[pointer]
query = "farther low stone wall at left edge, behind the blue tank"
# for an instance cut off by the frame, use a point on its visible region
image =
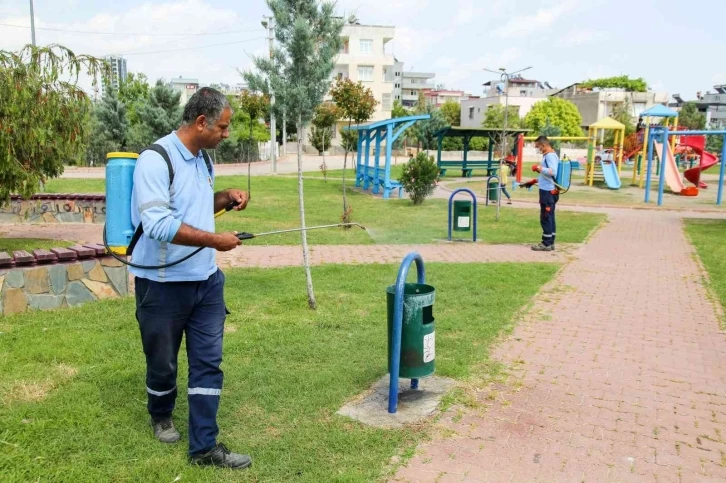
(55, 208)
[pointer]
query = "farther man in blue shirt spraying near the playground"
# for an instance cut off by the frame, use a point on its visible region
(549, 194)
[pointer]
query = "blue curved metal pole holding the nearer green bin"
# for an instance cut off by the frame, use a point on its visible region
(398, 325)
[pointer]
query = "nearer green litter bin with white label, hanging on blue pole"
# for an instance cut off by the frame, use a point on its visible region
(417, 330)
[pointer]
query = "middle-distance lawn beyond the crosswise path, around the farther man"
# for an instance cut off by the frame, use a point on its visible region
(274, 206)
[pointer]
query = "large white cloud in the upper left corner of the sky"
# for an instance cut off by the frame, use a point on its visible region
(137, 34)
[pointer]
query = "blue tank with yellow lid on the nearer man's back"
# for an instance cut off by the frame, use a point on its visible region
(119, 184)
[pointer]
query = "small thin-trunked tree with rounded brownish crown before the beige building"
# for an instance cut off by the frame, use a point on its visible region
(355, 103)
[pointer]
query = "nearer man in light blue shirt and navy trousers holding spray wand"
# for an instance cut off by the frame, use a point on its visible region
(177, 213)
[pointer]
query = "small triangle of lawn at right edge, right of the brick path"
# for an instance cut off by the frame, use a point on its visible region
(707, 236)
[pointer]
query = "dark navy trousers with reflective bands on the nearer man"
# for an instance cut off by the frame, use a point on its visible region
(165, 312)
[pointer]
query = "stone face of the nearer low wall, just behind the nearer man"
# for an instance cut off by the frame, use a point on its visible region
(61, 285)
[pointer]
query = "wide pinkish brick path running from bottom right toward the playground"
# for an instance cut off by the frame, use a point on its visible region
(619, 374)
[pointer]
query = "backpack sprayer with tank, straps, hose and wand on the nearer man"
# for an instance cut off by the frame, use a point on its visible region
(119, 236)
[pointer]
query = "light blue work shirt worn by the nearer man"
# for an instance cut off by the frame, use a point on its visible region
(162, 209)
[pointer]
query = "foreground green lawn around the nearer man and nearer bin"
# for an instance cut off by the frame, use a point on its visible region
(73, 404)
